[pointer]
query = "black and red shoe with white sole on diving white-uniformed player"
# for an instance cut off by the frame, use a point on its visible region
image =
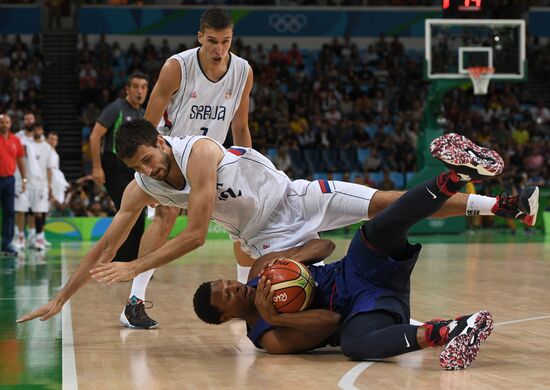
(524, 206)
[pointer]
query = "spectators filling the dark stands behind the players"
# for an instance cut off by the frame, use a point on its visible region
(342, 112)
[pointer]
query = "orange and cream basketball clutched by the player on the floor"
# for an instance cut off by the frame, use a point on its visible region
(292, 285)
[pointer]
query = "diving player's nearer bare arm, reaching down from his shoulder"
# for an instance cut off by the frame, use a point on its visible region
(202, 174)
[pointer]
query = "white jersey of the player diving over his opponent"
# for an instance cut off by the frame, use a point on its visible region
(249, 187)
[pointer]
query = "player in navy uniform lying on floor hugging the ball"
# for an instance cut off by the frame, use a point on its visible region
(362, 301)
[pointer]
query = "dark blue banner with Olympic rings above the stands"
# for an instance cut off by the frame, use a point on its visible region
(284, 22)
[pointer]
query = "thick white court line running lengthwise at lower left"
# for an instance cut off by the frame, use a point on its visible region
(69, 379)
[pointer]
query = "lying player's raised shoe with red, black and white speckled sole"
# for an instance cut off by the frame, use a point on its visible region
(468, 160)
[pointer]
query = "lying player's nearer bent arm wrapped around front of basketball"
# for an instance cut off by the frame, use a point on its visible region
(293, 332)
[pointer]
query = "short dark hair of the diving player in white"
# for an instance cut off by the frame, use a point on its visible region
(132, 134)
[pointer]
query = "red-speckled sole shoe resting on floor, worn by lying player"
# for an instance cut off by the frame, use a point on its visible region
(461, 337)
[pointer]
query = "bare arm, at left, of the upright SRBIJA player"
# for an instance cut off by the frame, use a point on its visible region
(166, 86)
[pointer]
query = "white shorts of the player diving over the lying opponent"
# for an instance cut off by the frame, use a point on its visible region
(309, 208)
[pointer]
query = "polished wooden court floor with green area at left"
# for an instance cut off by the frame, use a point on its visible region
(87, 348)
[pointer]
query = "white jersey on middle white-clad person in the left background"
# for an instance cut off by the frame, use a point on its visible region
(39, 159)
